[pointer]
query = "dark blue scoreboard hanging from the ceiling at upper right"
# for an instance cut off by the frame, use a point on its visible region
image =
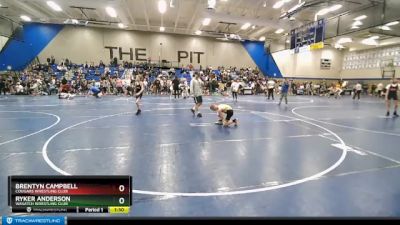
(312, 35)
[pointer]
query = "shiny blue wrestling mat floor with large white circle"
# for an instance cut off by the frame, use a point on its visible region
(314, 157)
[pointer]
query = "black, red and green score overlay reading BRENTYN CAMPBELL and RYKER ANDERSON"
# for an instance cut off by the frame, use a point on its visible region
(75, 194)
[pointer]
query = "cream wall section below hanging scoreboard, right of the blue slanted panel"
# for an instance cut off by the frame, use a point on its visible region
(308, 64)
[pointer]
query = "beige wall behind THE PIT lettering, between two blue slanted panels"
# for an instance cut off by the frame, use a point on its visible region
(81, 44)
